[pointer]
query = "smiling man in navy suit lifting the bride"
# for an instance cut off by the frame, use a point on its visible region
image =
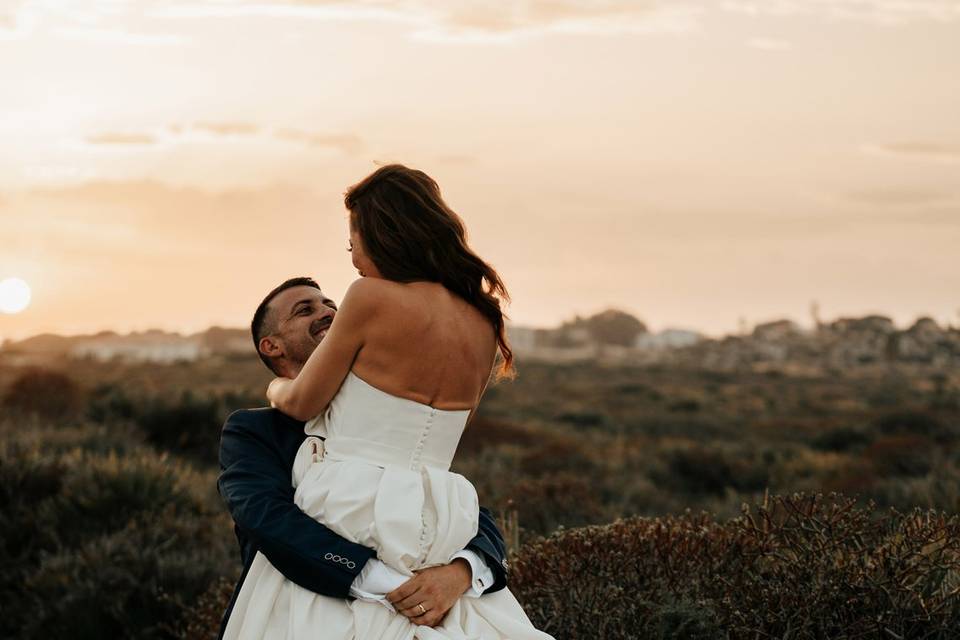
(257, 449)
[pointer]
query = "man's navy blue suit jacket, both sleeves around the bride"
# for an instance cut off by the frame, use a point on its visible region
(257, 449)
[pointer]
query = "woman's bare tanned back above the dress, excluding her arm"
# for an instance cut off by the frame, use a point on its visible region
(428, 345)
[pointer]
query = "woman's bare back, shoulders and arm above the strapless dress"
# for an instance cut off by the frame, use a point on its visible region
(411, 340)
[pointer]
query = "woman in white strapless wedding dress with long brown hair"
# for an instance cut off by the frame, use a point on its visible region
(390, 390)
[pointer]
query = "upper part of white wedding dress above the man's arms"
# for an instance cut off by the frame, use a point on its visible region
(375, 468)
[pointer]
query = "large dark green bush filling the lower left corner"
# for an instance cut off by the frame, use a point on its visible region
(100, 545)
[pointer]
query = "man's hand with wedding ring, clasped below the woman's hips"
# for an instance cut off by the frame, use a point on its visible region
(436, 588)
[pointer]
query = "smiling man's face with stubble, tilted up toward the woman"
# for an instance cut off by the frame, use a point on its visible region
(303, 316)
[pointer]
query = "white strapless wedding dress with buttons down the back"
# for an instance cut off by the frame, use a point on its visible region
(380, 479)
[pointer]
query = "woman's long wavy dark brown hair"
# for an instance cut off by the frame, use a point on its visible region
(411, 234)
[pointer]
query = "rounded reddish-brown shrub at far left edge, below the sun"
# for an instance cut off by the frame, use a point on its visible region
(47, 394)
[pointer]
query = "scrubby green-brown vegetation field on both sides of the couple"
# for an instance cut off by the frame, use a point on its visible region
(621, 491)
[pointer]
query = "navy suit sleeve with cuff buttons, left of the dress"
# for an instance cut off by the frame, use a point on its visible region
(256, 486)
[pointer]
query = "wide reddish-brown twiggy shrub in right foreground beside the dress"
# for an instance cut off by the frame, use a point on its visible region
(803, 566)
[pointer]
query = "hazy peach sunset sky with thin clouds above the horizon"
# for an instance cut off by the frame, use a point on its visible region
(164, 164)
